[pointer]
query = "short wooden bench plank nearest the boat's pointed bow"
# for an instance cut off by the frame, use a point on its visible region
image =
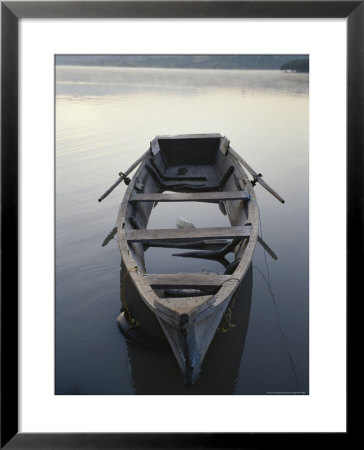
(186, 280)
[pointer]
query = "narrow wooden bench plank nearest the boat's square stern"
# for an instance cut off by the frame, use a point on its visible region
(190, 196)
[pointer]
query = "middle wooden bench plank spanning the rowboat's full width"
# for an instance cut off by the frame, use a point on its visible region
(187, 234)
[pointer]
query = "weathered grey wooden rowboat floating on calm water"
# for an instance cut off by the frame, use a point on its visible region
(186, 308)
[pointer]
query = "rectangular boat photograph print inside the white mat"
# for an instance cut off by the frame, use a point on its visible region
(182, 224)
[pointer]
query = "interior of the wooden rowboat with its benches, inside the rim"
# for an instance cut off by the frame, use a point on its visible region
(194, 169)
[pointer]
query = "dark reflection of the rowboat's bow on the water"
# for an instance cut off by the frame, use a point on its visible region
(220, 367)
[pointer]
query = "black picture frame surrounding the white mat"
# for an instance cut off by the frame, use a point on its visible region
(11, 12)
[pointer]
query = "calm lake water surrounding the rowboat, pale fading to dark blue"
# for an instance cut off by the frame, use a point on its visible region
(105, 119)
